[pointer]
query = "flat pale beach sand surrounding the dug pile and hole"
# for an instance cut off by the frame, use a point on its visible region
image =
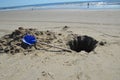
(103, 64)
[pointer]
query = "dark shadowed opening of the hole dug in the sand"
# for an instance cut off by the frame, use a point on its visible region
(84, 43)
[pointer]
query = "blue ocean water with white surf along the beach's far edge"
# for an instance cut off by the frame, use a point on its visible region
(91, 4)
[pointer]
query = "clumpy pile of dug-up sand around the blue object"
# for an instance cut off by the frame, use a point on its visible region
(12, 43)
